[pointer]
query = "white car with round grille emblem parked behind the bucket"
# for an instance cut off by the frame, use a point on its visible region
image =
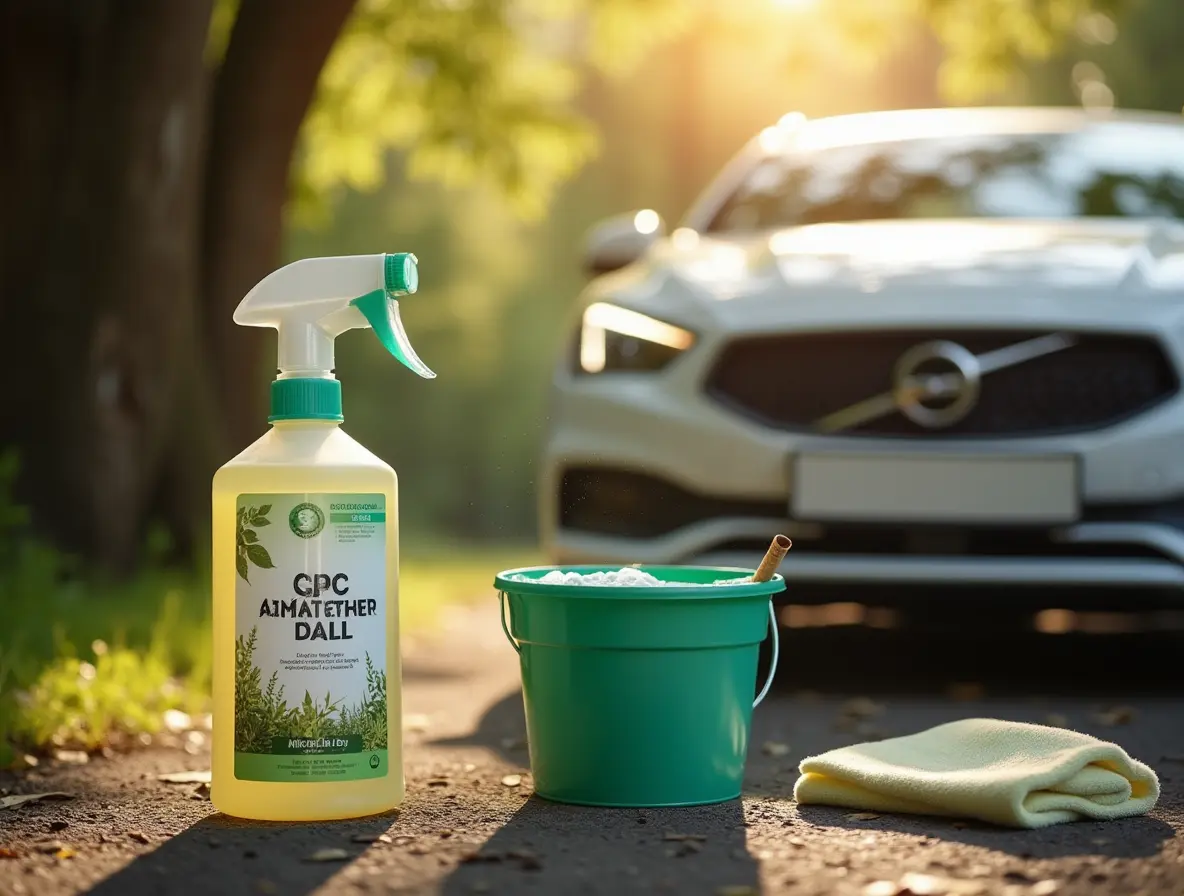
(932, 347)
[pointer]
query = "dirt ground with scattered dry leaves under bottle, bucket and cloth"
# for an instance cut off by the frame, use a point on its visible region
(466, 831)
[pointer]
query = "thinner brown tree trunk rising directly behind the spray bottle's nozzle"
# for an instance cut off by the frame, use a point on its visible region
(262, 95)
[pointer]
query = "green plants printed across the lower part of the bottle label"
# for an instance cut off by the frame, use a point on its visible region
(261, 713)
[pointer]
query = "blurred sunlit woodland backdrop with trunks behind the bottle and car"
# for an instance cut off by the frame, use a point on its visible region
(163, 158)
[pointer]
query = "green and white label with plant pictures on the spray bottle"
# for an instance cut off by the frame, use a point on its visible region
(311, 629)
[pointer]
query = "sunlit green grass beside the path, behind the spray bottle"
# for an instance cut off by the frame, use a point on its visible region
(87, 663)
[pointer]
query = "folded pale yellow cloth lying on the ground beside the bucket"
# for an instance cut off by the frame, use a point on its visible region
(1008, 773)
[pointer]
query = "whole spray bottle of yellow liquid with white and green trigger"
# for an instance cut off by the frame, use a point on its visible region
(306, 568)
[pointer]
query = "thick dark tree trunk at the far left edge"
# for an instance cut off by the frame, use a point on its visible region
(104, 107)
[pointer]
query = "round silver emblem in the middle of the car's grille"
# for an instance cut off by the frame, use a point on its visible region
(937, 384)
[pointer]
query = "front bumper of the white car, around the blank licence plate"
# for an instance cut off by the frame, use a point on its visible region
(723, 486)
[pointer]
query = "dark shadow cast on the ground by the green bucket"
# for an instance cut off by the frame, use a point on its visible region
(577, 849)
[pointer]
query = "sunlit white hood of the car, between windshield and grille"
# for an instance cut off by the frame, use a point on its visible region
(910, 272)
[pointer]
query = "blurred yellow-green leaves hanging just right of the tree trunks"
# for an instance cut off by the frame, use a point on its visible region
(474, 93)
